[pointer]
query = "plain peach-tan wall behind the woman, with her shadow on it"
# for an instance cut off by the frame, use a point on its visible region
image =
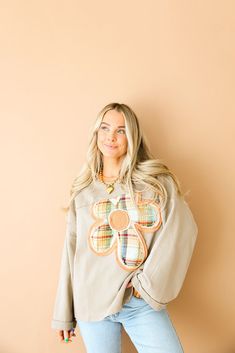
(61, 62)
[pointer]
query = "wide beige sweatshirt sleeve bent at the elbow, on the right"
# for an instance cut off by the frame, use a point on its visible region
(164, 271)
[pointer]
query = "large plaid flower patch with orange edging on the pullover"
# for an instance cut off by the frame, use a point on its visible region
(131, 249)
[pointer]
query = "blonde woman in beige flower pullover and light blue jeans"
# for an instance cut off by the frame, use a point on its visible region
(129, 240)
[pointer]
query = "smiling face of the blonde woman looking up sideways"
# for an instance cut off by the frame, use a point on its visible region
(111, 139)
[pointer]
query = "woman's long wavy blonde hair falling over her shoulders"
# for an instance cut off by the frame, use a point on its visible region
(138, 165)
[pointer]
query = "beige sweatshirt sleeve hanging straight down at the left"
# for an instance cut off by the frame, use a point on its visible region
(63, 315)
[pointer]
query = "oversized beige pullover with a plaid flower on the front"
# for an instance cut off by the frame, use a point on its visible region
(109, 242)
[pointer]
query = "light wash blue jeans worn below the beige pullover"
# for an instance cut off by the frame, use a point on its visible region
(150, 331)
